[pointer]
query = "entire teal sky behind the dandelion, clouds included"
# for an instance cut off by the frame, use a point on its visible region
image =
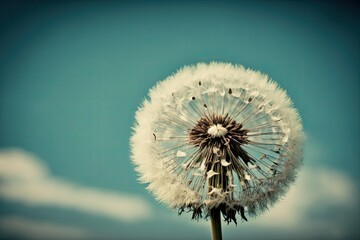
(73, 73)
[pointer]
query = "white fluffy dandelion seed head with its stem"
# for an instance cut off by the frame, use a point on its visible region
(217, 139)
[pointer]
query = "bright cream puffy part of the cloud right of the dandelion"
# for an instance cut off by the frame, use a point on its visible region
(316, 188)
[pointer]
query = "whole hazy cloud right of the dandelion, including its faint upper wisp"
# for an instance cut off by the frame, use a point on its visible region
(322, 203)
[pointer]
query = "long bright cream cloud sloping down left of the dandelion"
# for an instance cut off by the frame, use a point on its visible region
(25, 179)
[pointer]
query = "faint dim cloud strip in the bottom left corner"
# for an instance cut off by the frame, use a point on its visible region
(19, 227)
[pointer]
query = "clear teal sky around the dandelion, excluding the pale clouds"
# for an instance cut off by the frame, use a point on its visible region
(72, 74)
